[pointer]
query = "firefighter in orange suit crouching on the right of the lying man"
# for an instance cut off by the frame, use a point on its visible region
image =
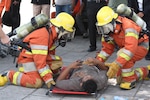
(125, 34)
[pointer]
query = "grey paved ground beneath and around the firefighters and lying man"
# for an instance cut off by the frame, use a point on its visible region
(74, 50)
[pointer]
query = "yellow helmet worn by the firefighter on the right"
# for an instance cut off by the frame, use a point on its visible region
(105, 15)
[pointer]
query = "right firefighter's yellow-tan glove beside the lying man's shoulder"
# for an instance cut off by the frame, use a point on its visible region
(113, 69)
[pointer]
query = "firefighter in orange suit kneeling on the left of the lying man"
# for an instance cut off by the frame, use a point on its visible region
(40, 63)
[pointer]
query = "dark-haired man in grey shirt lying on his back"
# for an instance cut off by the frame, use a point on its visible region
(83, 76)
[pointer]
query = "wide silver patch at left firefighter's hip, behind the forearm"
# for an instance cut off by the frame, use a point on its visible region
(28, 67)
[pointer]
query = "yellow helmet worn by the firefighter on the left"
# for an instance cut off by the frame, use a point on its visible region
(64, 20)
